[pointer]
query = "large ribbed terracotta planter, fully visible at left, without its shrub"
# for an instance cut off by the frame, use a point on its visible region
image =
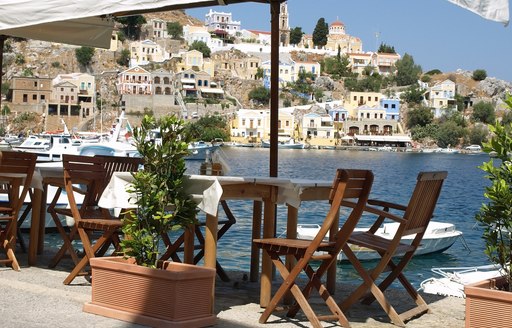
(180, 295)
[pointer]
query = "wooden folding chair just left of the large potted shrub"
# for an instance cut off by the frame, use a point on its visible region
(91, 221)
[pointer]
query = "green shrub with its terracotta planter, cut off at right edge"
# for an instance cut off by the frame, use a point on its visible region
(489, 302)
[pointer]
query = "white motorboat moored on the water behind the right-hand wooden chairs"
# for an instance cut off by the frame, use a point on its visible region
(439, 237)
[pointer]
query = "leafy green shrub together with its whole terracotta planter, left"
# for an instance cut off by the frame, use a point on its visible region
(137, 287)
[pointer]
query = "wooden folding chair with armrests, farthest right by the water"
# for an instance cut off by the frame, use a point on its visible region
(416, 216)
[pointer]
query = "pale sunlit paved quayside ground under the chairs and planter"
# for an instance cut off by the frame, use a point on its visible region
(36, 297)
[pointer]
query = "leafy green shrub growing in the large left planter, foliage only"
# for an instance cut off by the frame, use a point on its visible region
(162, 203)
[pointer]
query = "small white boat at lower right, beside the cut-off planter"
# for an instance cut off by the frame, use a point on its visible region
(451, 281)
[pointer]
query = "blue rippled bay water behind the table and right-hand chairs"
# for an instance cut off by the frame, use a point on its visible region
(395, 178)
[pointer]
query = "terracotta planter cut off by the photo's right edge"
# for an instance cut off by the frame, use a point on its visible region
(486, 307)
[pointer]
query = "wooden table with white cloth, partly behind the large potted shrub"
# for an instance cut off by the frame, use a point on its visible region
(208, 191)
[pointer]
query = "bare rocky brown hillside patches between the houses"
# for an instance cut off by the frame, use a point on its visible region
(44, 59)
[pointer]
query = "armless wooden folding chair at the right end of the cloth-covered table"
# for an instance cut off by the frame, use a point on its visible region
(348, 184)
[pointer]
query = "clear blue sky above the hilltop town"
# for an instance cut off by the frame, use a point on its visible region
(436, 33)
